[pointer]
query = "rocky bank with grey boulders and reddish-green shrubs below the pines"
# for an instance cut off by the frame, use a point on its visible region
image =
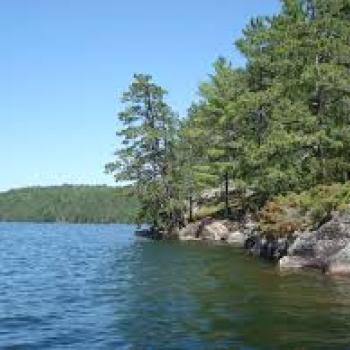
(310, 230)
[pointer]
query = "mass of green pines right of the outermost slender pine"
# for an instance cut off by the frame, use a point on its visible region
(282, 123)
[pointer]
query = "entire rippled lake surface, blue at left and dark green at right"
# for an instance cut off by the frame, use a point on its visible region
(97, 287)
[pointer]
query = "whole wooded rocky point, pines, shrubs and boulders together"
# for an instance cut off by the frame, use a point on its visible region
(270, 141)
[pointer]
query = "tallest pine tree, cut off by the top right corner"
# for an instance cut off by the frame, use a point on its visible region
(317, 79)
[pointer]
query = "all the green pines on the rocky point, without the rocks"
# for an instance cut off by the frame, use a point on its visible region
(279, 124)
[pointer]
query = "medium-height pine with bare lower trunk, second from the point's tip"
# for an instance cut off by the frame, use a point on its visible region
(215, 128)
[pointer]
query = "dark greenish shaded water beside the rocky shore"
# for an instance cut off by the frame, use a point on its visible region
(202, 296)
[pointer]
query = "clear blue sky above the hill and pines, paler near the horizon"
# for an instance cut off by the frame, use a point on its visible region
(63, 64)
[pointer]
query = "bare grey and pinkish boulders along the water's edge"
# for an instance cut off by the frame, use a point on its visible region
(326, 248)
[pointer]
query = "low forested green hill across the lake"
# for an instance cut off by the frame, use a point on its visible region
(68, 203)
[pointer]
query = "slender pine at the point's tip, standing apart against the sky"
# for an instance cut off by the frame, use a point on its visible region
(147, 134)
